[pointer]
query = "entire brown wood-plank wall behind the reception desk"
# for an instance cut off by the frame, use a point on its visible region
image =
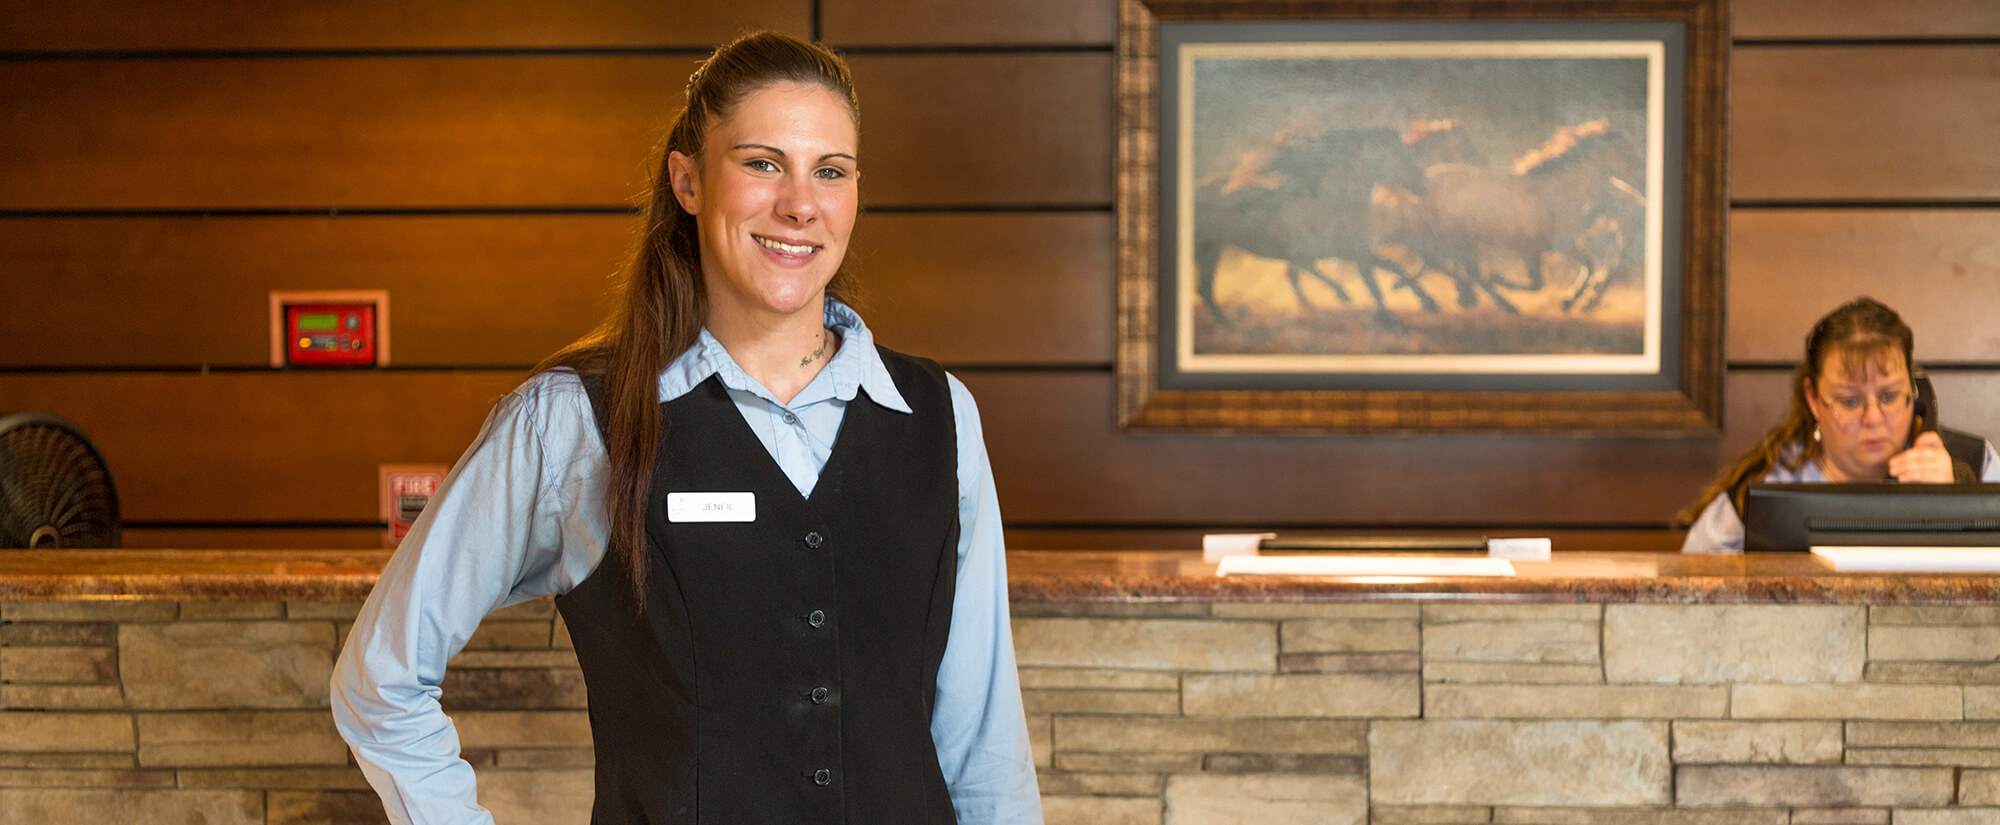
(165, 167)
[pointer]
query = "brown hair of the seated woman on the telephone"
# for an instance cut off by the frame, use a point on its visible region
(1863, 331)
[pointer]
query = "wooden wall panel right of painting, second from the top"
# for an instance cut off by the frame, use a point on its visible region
(1847, 123)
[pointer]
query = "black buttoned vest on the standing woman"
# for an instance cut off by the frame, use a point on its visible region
(785, 670)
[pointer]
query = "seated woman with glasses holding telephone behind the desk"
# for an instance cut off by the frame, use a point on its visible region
(1857, 416)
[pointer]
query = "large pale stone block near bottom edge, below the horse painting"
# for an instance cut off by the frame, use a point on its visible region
(1519, 764)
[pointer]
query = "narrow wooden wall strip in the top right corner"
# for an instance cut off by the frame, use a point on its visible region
(1863, 19)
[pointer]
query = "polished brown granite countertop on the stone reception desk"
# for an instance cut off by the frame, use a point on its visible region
(1057, 578)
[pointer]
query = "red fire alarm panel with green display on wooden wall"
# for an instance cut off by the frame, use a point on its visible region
(329, 329)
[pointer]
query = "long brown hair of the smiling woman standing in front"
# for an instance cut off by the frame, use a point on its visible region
(663, 299)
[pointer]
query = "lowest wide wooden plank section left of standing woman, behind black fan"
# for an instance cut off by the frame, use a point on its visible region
(263, 446)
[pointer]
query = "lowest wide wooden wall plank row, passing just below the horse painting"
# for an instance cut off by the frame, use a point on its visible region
(303, 448)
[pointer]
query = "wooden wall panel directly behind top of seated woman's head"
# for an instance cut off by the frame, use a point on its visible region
(1939, 269)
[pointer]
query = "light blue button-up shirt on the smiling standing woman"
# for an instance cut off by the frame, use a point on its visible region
(523, 518)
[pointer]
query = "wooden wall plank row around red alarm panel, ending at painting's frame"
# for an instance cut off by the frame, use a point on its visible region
(467, 291)
